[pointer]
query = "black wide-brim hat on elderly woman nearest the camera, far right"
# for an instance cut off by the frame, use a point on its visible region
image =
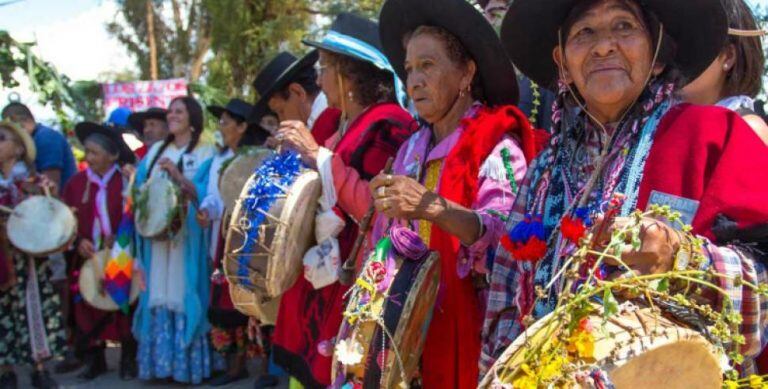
(529, 33)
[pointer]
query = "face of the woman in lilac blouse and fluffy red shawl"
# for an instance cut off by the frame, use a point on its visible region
(434, 81)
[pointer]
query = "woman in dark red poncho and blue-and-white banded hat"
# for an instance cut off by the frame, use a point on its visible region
(357, 79)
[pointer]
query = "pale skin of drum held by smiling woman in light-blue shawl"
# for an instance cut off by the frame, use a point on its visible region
(163, 215)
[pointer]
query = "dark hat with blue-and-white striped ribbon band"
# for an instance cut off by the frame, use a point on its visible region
(353, 26)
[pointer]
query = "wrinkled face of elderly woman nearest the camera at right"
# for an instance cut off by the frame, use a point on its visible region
(608, 55)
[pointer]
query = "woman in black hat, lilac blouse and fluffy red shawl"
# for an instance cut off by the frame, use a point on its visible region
(455, 177)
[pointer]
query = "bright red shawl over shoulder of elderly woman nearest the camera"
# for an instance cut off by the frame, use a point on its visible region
(724, 163)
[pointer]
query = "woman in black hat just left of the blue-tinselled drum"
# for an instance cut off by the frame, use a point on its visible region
(229, 334)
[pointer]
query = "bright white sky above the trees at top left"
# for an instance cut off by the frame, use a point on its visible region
(71, 34)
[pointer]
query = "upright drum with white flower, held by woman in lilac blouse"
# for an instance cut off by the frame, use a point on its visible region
(388, 327)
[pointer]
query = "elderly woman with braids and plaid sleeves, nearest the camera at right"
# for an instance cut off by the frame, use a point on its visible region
(621, 63)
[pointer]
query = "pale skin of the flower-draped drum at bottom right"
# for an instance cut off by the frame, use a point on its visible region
(638, 349)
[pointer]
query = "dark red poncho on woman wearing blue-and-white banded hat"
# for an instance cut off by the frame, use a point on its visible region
(308, 319)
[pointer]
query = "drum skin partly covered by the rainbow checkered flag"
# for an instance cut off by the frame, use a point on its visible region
(90, 280)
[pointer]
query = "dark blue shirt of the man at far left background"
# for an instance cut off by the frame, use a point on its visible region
(53, 152)
